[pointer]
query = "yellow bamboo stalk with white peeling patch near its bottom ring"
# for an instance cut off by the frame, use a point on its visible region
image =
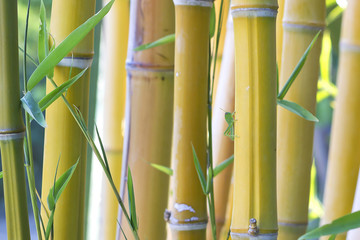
(188, 210)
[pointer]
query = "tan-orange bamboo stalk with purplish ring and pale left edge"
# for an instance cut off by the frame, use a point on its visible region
(150, 87)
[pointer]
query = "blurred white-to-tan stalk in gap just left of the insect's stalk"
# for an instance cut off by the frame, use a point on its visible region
(223, 146)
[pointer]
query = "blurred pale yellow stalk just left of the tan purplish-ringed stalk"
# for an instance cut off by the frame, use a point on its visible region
(115, 35)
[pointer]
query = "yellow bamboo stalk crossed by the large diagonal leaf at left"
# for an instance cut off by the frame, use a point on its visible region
(63, 138)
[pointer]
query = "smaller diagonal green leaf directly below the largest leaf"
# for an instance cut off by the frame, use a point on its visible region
(56, 93)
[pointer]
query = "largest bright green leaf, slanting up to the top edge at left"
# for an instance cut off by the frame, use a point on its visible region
(66, 46)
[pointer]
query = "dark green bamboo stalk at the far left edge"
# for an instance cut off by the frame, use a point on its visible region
(12, 129)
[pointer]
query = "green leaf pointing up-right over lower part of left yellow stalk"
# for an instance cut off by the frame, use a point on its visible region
(59, 186)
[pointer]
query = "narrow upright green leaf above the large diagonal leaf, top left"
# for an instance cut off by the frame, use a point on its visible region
(43, 48)
